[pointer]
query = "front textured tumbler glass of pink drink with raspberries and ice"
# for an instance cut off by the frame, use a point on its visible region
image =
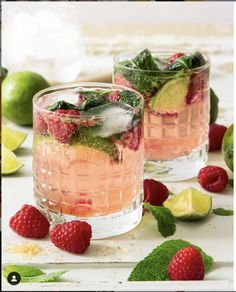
(88, 155)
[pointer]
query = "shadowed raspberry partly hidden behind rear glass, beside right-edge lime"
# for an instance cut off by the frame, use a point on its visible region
(216, 135)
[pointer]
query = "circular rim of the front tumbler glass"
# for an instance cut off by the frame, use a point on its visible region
(62, 86)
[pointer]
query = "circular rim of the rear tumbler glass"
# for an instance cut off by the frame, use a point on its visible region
(156, 52)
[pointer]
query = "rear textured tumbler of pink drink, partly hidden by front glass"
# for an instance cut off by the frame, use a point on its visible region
(176, 115)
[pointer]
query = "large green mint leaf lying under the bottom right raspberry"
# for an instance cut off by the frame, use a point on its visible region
(154, 267)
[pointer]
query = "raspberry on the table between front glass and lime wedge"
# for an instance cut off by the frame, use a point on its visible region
(155, 192)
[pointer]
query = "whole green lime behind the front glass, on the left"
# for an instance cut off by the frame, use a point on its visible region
(18, 90)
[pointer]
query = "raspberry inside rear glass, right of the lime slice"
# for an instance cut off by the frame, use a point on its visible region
(196, 88)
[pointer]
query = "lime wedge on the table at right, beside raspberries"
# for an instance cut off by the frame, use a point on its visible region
(190, 204)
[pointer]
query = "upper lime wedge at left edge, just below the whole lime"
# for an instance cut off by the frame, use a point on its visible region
(12, 139)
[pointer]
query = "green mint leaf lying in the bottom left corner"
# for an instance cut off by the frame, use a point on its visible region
(24, 271)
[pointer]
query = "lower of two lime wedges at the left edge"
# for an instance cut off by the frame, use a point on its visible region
(10, 163)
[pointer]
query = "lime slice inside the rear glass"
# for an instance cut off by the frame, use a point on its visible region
(172, 96)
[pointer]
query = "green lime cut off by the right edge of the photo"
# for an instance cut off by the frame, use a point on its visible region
(228, 147)
